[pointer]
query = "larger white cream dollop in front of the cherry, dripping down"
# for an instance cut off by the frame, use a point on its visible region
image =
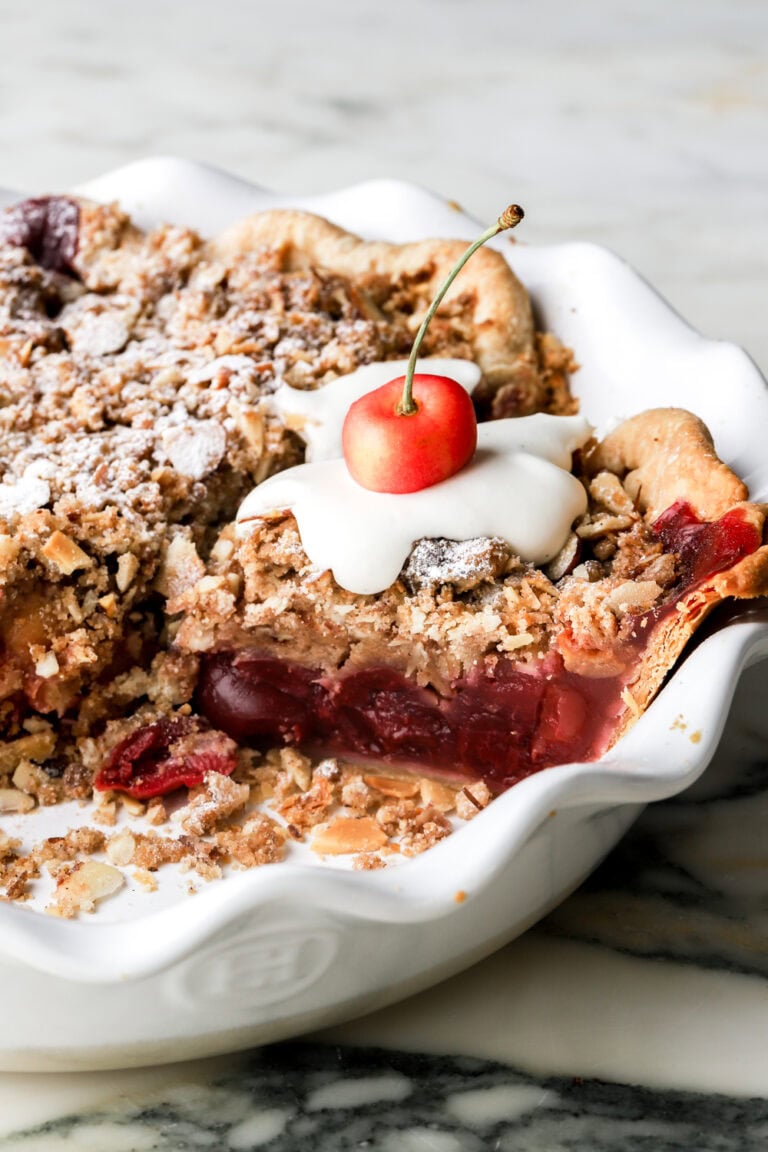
(518, 487)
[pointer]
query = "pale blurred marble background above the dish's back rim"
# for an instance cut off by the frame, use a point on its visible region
(641, 124)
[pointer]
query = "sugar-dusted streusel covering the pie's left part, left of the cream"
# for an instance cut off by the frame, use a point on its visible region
(134, 373)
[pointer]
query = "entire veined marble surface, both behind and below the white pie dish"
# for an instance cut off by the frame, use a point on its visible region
(636, 1014)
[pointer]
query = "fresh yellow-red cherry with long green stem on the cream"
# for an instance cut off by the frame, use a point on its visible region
(398, 442)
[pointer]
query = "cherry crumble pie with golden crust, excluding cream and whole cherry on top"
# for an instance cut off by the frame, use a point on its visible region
(146, 643)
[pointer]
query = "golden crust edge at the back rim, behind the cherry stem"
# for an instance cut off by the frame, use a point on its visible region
(501, 313)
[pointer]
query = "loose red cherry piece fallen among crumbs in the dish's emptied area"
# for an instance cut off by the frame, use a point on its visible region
(164, 756)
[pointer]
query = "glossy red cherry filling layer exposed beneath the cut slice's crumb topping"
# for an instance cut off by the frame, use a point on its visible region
(501, 724)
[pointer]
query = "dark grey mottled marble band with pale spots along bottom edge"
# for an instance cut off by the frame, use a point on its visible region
(291, 1098)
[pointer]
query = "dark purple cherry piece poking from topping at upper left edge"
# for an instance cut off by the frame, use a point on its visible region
(48, 226)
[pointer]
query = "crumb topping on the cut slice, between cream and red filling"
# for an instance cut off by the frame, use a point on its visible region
(457, 605)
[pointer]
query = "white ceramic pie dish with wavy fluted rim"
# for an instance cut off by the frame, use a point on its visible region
(291, 948)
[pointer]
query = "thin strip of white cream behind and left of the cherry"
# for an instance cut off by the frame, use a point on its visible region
(318, 416)
